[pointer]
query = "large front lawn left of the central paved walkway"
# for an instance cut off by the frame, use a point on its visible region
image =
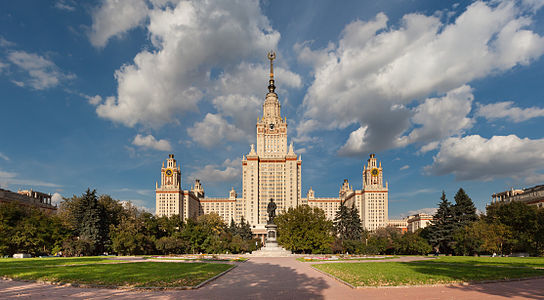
(140, 274)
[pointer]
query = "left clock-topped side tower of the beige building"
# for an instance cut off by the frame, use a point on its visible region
(169, 196)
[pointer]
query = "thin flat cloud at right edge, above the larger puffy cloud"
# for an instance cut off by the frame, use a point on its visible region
(507, 111)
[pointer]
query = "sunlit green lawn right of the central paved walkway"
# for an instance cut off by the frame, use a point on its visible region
(447, 270)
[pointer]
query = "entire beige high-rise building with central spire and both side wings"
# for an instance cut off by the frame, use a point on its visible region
(272, 170)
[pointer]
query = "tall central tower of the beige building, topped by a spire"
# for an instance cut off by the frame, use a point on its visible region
(273, 170)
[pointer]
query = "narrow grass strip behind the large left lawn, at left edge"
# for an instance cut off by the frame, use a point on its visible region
(51, 261)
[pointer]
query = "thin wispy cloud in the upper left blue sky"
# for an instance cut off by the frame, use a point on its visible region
(41, 72)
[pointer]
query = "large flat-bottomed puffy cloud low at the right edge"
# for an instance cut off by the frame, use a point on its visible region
(476, 158)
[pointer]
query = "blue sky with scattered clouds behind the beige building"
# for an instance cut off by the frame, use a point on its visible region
(448, 94)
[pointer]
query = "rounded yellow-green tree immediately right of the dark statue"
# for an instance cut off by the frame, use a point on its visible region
(304, 230)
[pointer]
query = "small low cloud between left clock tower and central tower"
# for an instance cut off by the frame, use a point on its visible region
(229, 170)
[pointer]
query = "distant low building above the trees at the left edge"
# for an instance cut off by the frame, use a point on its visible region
(29, 198)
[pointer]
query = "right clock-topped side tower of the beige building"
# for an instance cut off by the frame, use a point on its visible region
(374, 208)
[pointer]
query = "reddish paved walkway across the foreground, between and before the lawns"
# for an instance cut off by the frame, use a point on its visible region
(281, 278)
